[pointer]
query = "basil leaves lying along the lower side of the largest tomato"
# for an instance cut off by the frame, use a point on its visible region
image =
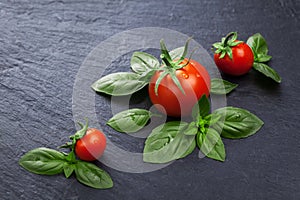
(177, 139)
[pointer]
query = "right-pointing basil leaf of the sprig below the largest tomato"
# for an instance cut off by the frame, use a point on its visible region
(238, 123)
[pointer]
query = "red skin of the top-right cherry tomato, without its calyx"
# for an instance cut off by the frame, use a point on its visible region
(241, 62)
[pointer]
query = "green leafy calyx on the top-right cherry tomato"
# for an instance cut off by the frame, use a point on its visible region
(227, 42)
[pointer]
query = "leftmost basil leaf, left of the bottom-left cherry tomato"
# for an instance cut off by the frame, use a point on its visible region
(43, 161)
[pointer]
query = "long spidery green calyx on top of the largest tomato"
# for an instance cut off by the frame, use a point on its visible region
(169, 66)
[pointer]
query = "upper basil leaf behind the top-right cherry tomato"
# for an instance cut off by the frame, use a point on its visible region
(258, 44)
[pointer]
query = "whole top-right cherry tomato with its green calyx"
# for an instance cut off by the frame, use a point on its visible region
(232, 56)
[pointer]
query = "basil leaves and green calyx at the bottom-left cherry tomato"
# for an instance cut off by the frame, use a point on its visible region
(47, 161)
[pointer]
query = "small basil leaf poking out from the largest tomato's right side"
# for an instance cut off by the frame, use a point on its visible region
(220, 86)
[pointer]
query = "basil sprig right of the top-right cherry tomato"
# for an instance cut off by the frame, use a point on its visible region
(259, 48)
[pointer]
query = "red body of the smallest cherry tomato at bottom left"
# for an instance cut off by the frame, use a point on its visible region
(91, 146)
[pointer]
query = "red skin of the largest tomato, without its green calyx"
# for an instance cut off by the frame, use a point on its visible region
(195, 81)
